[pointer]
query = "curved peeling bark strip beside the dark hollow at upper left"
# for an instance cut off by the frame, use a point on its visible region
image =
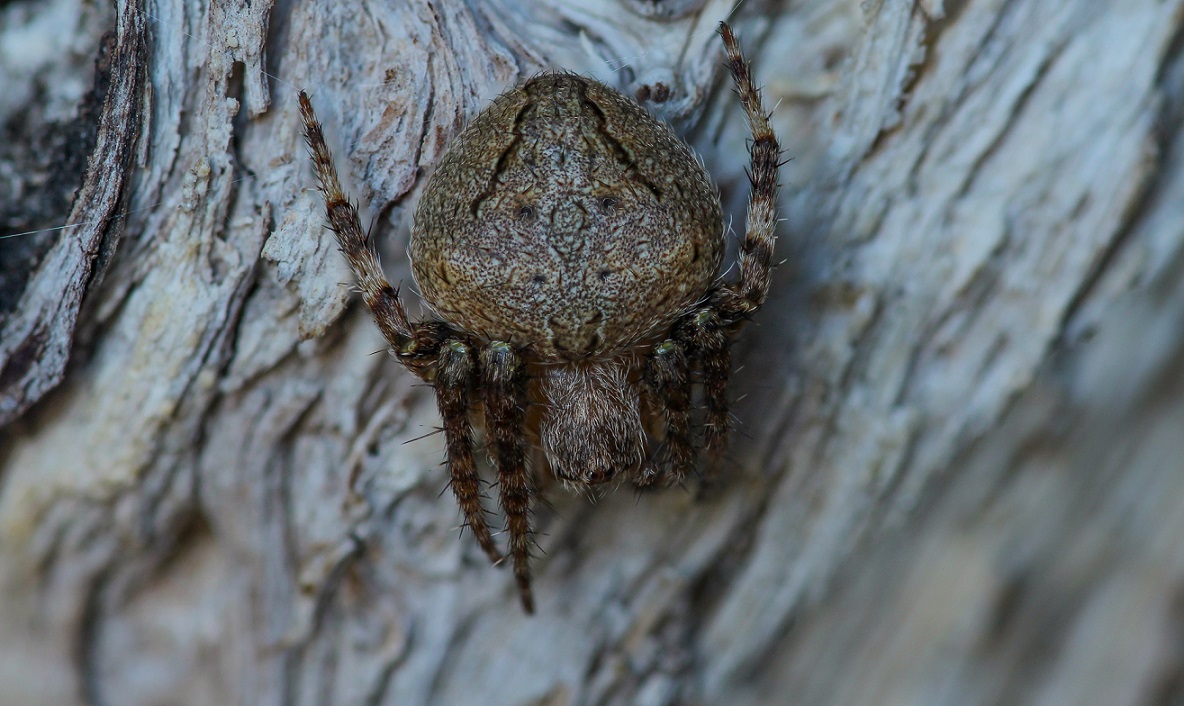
(35, 342)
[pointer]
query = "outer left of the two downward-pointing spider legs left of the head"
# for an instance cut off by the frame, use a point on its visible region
(454, 378)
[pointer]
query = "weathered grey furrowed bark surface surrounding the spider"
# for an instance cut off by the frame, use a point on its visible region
(958, 472)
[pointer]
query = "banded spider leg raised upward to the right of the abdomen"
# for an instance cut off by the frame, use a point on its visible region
(757, 248)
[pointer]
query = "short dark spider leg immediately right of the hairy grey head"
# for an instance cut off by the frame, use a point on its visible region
(667, 375)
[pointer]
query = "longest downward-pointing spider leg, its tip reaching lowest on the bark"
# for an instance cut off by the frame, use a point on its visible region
(504, 381)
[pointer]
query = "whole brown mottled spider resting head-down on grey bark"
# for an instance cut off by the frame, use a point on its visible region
(570, 246)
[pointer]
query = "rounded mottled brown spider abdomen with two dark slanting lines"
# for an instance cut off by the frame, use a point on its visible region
(568, 219)
